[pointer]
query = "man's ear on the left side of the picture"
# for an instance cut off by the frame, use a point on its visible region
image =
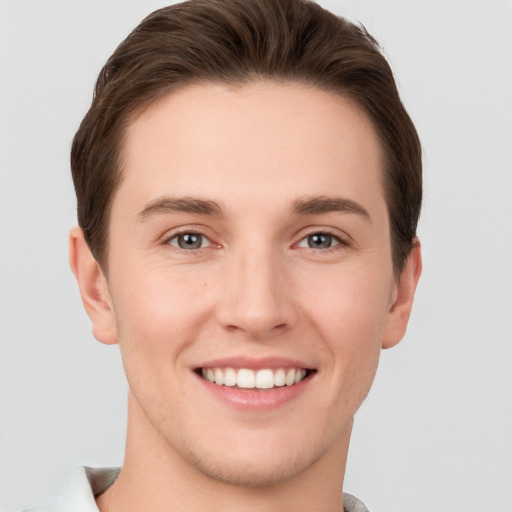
(93, 288)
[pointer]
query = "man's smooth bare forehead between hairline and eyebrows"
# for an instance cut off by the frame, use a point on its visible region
(251, 141)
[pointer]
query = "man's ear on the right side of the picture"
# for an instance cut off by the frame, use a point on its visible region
(403, 296)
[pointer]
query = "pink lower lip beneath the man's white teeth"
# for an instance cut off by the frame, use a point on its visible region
(249, 399)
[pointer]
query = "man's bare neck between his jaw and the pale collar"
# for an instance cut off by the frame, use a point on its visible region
(155, 476)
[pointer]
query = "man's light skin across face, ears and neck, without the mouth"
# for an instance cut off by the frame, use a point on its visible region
(255, 289)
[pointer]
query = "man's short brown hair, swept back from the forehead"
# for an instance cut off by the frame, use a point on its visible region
(238, 41)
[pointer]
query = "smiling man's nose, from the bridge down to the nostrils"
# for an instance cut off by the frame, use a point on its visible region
(257, 295)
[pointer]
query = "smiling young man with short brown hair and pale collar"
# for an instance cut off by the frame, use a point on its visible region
(248, 188)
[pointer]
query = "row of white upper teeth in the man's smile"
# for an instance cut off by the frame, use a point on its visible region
(261, 379)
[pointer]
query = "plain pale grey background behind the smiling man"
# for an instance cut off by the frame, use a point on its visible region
(435, 433)
